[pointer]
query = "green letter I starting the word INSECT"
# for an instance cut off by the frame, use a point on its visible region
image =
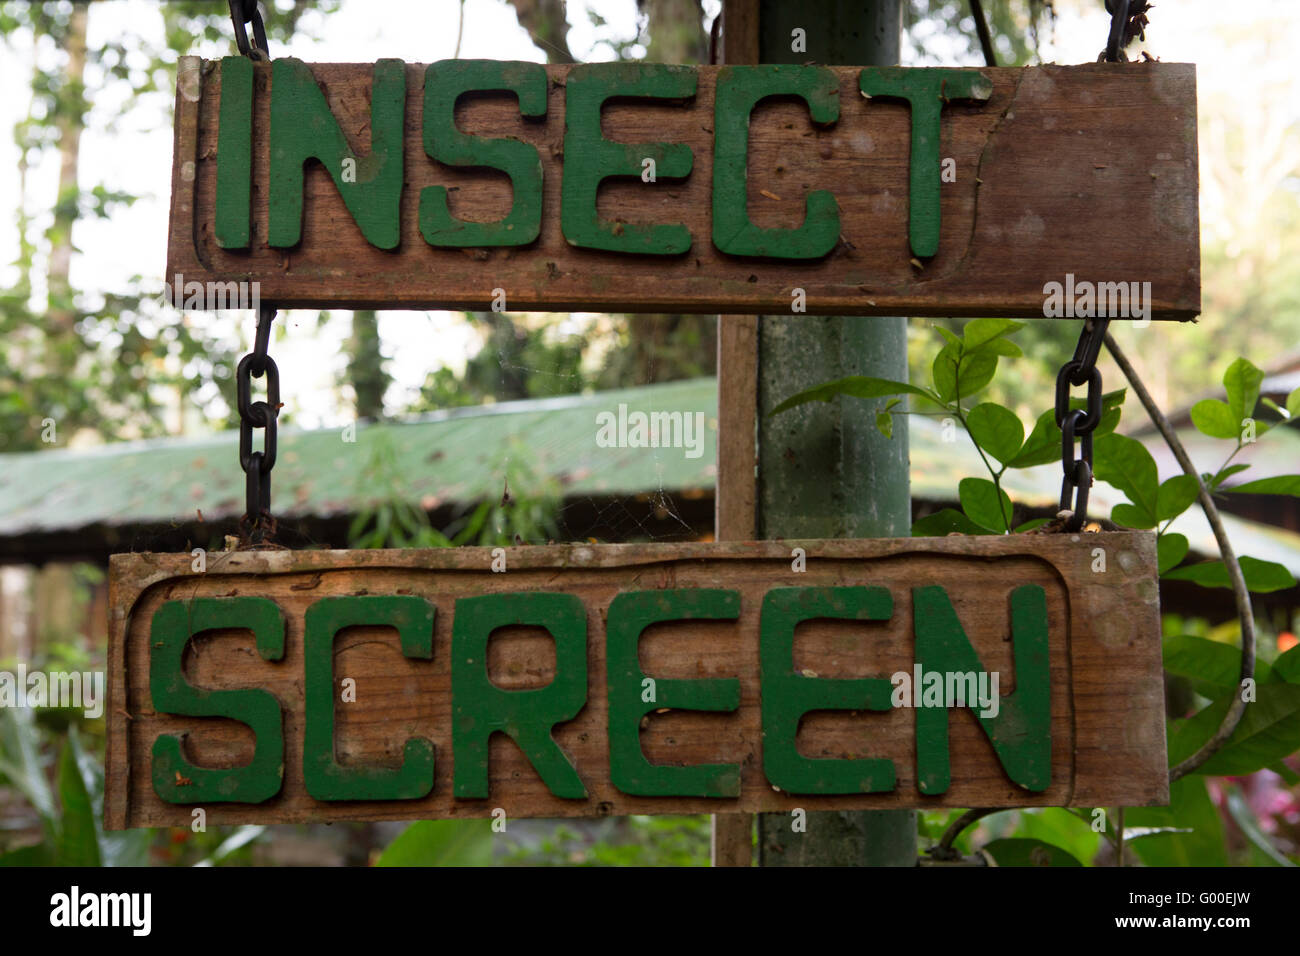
(235, 153)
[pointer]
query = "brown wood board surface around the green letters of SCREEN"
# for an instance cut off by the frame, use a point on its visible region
(1107, 697)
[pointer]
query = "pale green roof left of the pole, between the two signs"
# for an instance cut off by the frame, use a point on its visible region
(444, 457)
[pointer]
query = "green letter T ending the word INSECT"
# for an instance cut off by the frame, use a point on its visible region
(928, 92)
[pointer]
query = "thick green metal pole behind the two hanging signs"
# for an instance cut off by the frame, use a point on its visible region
(825, 470)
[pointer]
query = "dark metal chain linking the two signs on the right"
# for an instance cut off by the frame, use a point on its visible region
(1078, 425)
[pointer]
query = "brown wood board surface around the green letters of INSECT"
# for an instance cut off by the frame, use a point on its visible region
(1086, 170)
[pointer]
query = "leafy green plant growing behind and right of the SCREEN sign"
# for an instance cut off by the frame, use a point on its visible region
(1262, 750)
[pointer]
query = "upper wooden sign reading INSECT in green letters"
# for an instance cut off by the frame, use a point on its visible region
(488, 185)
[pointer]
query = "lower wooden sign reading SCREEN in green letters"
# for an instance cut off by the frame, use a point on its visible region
(613, 680)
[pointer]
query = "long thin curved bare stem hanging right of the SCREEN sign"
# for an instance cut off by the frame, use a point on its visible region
(1234, 570)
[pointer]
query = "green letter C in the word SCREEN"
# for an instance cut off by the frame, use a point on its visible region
(326, 778)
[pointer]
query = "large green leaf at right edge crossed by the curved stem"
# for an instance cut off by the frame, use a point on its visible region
(1269, 732)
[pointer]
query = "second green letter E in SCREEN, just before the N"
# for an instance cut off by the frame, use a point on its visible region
(787, 697)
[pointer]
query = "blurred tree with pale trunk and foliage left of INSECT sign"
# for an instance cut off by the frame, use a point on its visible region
(70, 360)
